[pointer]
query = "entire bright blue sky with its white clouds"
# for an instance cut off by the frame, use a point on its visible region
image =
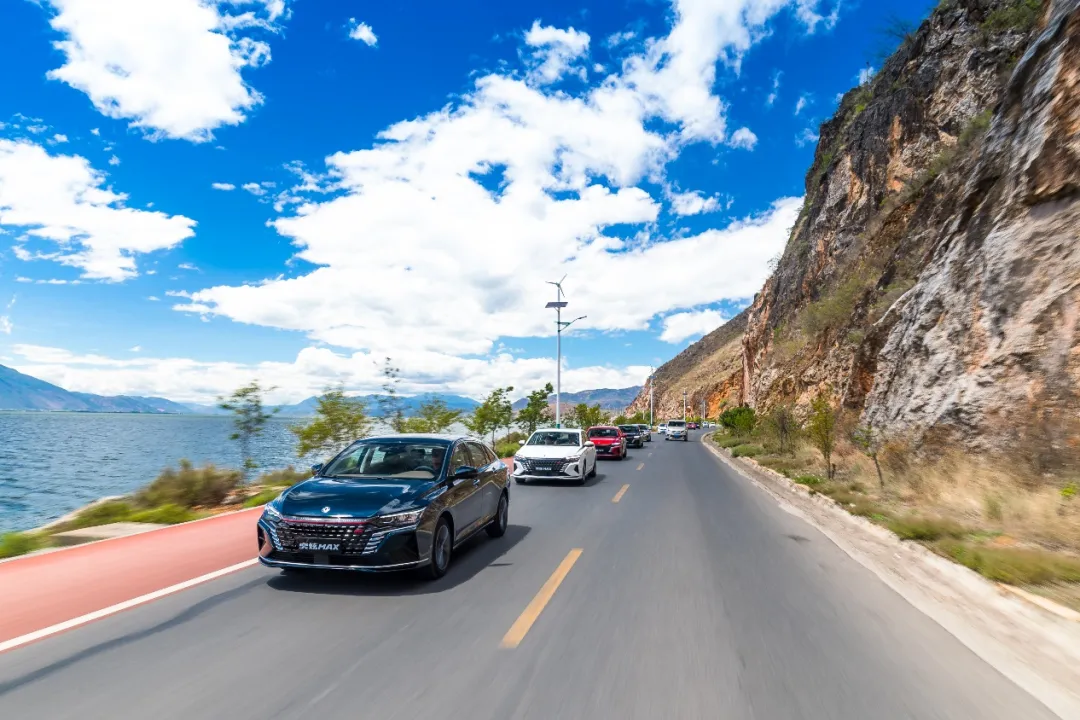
(200, 194)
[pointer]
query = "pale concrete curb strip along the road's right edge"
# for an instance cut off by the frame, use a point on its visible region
(1036, 648)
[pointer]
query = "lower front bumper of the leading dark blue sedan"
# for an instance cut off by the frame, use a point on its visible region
(396, 550)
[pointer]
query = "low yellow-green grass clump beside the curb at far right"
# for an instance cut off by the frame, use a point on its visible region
(1014, 566)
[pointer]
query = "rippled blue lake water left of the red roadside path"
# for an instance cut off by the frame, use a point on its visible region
(55, 463)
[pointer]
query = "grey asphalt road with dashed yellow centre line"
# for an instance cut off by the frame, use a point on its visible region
(695, 596)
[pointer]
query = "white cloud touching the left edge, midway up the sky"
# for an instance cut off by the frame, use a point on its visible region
(61, 202)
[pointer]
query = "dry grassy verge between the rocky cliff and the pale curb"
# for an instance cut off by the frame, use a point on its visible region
(988, 514)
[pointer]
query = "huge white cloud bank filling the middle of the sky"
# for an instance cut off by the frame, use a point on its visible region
(464, 213)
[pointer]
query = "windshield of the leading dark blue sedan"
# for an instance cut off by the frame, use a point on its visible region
(412, 459)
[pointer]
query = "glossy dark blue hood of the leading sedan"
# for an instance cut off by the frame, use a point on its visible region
(323, 497)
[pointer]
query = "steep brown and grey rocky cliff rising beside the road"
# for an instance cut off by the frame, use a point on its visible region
(931, 280)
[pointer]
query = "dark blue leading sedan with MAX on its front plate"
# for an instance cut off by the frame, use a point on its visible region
(396, 502)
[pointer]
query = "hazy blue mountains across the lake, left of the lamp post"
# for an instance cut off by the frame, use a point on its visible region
(23, 392)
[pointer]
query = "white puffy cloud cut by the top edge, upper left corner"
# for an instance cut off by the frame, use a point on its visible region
(173, 67)
